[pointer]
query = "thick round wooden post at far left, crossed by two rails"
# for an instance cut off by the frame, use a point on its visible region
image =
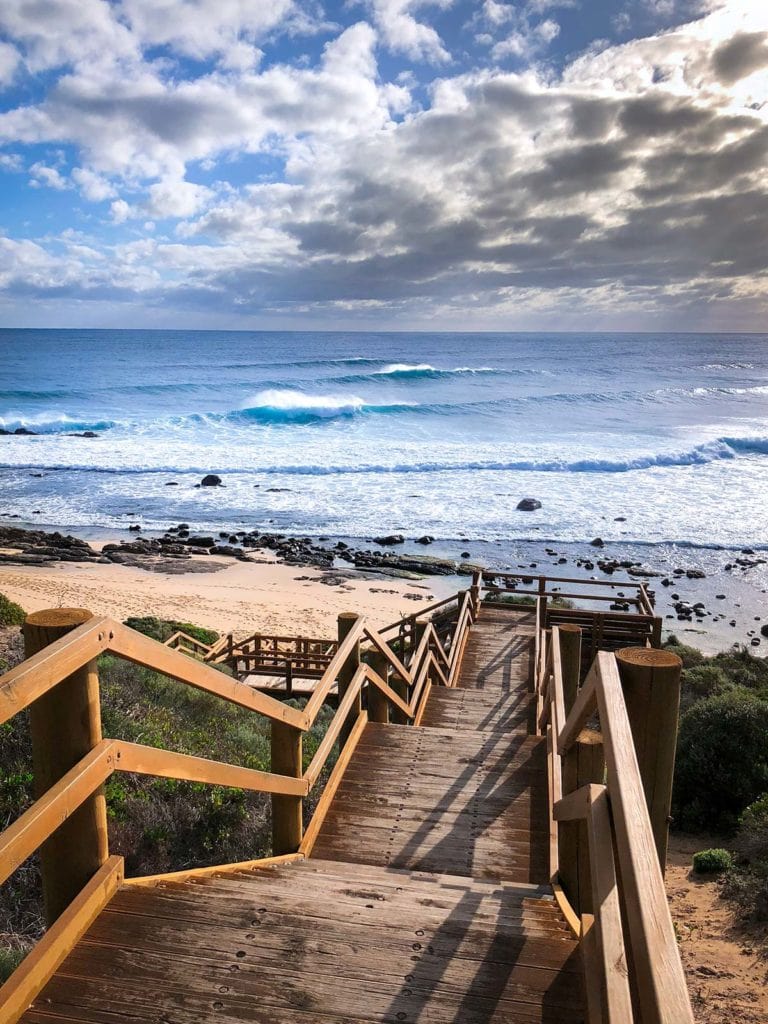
(66, 724)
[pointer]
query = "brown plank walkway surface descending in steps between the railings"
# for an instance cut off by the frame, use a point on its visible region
(425, 899)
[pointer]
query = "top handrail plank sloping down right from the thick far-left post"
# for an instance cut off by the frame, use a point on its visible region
(142, 651)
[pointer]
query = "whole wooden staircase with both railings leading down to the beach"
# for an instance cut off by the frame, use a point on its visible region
(432, 884)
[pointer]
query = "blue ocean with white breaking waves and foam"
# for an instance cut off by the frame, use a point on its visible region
(641, 439)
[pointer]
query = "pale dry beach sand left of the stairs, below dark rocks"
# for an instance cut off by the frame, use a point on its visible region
(241, 598)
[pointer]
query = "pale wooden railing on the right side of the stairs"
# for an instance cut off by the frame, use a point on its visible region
(607, 854)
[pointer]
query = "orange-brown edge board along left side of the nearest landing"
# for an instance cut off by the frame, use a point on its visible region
(32, 975)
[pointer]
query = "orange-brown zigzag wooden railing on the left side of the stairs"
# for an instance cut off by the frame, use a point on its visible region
(59, 682)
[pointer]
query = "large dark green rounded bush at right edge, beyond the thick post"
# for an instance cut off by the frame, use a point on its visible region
(722, 760)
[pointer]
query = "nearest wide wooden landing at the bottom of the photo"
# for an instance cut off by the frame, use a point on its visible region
(302, 944)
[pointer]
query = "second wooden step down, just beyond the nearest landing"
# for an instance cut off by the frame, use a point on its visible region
(463, 803)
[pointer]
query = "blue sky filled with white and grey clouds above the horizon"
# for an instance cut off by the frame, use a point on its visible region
(385, 164)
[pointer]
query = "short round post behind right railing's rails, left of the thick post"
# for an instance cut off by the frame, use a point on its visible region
(582, 764)
